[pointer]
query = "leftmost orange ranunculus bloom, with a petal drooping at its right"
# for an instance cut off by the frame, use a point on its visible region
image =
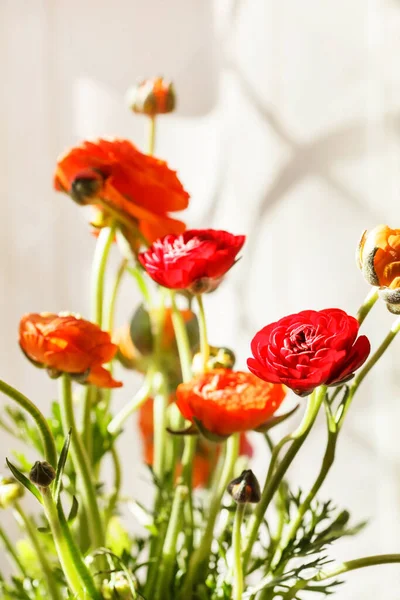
(65, 343)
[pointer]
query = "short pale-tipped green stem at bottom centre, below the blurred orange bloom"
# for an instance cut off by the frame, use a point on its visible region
(169, 548)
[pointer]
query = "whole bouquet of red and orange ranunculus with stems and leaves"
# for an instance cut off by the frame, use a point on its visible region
(214, 532)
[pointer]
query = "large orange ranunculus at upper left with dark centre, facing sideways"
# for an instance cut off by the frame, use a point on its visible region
(135, 189)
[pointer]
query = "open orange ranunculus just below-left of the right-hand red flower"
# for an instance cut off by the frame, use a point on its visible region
(223, 402)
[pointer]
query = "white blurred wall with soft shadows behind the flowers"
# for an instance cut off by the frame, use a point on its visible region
(287, 130)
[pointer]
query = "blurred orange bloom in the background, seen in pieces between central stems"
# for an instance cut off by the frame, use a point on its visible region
(206, 452)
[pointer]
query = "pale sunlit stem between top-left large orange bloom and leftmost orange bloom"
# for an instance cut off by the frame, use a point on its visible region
(103, 246)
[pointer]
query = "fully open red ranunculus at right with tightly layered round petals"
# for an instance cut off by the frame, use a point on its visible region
(309, 349)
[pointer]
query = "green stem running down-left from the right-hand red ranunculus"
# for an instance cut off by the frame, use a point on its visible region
(274, 478)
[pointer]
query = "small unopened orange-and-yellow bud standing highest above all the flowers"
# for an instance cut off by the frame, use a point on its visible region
(152, 97)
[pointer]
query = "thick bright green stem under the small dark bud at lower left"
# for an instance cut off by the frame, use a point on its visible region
(74, 568)
